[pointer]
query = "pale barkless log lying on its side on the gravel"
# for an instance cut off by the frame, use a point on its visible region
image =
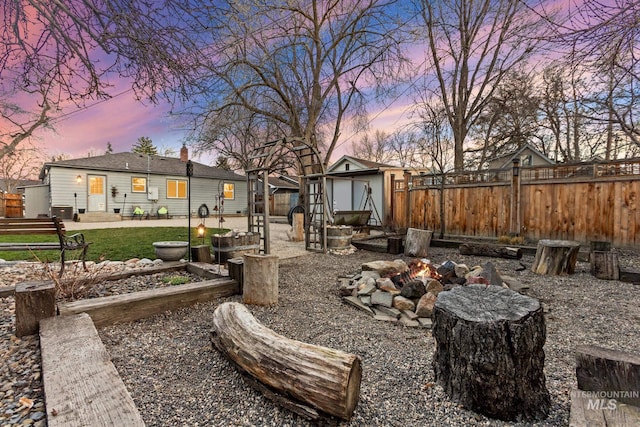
(321, 377)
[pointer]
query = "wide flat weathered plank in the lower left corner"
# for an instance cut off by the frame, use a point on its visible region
(82, 386)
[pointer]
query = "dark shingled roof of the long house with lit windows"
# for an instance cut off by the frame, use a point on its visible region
(141, 163)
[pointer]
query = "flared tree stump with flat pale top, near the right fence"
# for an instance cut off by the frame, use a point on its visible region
(556, 257)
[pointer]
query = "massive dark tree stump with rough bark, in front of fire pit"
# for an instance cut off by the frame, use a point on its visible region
(489, 351)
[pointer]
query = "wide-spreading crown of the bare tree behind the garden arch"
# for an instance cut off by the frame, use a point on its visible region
(303, 65)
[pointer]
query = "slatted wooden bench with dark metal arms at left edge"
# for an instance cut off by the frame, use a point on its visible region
(43, 226)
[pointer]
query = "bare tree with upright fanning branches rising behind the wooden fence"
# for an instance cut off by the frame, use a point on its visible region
(472, 45)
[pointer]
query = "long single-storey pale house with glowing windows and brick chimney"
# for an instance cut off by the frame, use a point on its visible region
(120, 182)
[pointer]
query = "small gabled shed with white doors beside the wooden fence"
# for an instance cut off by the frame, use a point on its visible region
(355, 184)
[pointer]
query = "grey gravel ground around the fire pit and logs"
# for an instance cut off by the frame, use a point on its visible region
(176, 378)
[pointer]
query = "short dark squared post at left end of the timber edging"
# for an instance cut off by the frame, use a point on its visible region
(34, 301)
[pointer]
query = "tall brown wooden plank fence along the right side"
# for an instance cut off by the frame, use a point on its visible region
(581, 202)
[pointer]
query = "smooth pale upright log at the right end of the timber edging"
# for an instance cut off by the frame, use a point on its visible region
(260, 283)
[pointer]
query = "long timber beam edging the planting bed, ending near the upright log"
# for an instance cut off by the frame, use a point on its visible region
(138, 305)
